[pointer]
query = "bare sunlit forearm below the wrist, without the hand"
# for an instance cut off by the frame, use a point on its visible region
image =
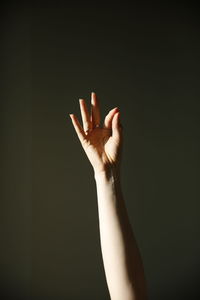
(121, 257)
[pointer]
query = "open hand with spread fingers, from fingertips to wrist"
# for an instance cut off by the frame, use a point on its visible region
(102, 145)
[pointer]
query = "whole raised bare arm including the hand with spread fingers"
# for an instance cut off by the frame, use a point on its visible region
(103, 146)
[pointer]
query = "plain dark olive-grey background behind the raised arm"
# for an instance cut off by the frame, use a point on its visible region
(142, 57)
